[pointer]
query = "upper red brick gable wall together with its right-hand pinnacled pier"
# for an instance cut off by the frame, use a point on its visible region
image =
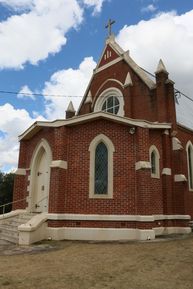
(140, 102)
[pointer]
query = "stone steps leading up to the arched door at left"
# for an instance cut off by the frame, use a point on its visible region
(9, 227)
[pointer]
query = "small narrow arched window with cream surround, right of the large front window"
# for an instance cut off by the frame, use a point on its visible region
(154, 161)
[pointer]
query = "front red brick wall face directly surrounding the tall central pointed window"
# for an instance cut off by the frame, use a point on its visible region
(78, 201)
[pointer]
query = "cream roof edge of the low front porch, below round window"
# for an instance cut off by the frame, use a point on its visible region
(38, 125)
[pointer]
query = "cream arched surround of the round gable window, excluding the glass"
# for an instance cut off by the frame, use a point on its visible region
(106, 94)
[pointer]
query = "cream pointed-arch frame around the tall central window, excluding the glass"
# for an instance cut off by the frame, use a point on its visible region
(92, 148)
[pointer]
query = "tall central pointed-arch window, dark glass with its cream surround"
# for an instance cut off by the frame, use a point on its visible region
(101, 167)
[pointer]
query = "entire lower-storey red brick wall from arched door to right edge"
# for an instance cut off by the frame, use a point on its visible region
(134, 192)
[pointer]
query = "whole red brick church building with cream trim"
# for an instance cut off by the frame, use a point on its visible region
(119, 168)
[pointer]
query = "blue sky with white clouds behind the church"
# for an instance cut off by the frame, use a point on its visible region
(52, 46)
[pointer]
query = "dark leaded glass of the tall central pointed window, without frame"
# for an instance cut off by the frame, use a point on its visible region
(101, 169)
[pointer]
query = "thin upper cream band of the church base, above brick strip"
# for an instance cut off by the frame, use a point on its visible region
(137, 218)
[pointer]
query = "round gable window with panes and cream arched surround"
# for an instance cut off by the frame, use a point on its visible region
(111, 101)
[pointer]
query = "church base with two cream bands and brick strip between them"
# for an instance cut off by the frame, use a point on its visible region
(114, 227)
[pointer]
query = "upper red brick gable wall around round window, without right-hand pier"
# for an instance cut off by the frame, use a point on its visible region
(140, 102)
